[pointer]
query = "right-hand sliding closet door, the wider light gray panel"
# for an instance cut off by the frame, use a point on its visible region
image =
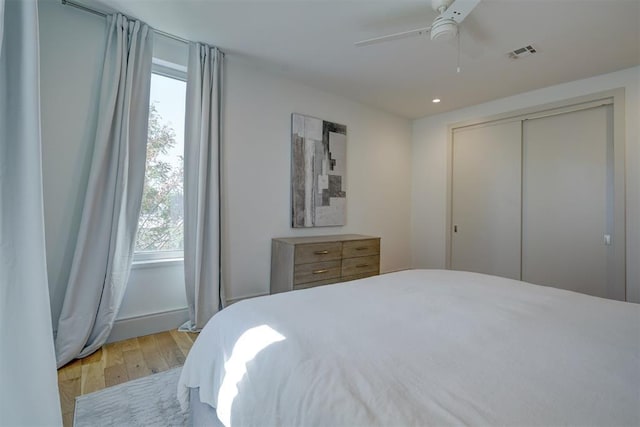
(567, 200)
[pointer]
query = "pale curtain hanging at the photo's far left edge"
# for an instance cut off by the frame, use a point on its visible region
(28, 380)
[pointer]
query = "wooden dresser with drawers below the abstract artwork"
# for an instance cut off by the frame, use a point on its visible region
(304, 262)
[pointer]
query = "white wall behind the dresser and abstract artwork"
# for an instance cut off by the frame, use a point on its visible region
(256, 170)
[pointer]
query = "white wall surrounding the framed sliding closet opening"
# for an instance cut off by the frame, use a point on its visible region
(429, 168)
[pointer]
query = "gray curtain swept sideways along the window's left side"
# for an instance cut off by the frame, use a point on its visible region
(104, 249)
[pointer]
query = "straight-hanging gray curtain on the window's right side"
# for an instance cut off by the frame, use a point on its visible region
(202, 185)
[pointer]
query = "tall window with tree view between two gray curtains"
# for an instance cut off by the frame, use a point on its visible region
(160, 226)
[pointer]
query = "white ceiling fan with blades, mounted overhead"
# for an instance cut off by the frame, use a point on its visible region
(444, 27)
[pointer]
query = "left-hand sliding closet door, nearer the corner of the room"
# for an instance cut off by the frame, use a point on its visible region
(485, 205)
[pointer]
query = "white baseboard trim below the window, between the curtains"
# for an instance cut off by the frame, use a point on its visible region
(138, 326)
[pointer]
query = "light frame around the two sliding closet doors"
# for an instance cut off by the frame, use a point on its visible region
(614, 97)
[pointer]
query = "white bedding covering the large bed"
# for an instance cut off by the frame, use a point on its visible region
(420, 347)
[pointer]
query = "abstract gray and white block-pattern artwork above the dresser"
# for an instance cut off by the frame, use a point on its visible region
(318, 170)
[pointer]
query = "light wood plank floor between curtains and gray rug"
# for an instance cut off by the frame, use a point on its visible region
(119, 362)
